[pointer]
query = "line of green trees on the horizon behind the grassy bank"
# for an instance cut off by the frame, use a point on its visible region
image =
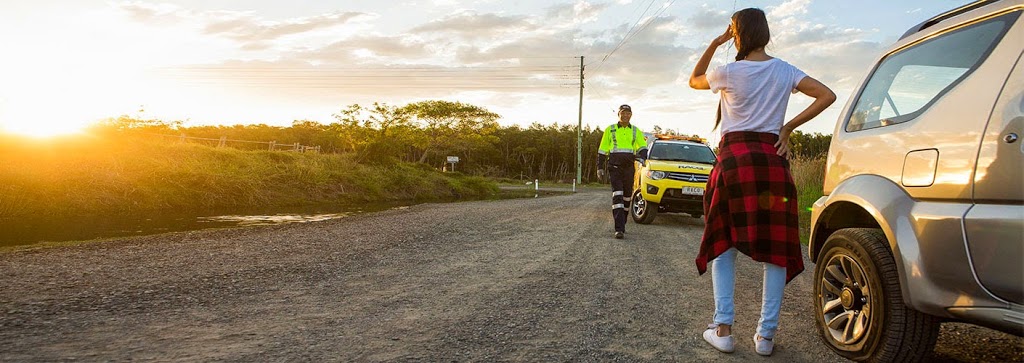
(428, 133)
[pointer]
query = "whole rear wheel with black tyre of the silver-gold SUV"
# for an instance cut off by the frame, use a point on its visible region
(859, 305)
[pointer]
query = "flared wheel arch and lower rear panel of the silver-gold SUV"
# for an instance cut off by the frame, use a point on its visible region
(924, 238)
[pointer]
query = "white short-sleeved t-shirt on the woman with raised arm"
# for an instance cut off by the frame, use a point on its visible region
(755, 94)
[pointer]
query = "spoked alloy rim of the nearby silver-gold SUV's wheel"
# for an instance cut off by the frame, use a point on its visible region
(845, 300)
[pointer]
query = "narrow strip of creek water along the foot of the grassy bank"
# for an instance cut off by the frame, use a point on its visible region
(31, 230)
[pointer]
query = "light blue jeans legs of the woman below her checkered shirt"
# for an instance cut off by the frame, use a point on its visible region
(723, 276)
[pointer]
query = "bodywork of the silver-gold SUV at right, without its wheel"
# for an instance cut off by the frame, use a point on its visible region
(943, 184)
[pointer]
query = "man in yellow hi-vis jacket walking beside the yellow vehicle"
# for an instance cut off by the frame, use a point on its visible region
(621, 143)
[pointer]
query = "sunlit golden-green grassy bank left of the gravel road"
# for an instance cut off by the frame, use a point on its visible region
(91, 176)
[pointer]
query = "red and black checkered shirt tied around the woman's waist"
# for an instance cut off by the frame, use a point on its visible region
(751, 205)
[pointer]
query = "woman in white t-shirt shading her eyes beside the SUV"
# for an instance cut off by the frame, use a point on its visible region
(751, 203)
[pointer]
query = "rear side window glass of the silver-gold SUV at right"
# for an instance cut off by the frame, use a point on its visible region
(907, 83)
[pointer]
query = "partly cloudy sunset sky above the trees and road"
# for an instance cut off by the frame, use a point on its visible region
(68, 64)
